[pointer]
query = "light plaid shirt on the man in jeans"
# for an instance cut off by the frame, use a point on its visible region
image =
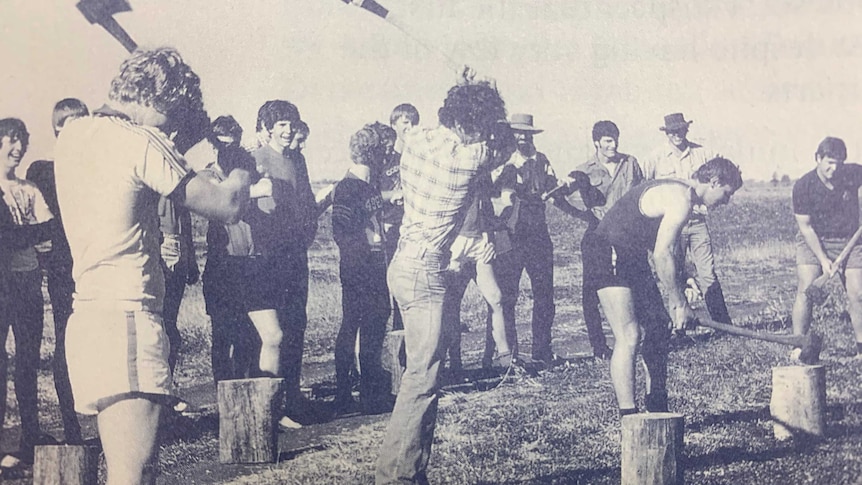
(437, 169)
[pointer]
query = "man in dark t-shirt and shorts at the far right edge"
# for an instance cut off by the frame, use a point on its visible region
(826, 206)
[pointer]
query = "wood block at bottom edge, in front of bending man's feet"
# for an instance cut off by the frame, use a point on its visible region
(652, 445)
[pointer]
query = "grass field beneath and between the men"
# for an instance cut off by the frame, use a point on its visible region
(562, 427)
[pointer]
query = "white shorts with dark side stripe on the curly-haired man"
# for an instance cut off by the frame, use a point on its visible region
(115, 355)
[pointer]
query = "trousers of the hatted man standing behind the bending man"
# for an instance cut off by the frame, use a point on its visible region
(695, 241)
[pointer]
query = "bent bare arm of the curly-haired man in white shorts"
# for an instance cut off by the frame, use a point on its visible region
(222, 201)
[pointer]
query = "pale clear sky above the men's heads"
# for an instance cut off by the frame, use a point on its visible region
(763, 80)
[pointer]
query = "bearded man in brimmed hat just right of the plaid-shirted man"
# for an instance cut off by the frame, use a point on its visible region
(531, 175)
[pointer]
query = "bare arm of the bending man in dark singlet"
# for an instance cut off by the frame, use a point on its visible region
(677, 210)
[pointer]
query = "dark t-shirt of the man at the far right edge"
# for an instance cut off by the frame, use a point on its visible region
(834, 212)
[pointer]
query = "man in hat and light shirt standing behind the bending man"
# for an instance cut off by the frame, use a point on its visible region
(680, 158)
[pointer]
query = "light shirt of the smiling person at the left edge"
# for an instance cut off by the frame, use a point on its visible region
(27, 206)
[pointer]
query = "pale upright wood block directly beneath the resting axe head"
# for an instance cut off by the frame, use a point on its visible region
(798, 403)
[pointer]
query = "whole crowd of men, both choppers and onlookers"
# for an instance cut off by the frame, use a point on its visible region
(420, 213)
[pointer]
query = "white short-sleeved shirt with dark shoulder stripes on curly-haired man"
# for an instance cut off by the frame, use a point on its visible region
(110, 175)
